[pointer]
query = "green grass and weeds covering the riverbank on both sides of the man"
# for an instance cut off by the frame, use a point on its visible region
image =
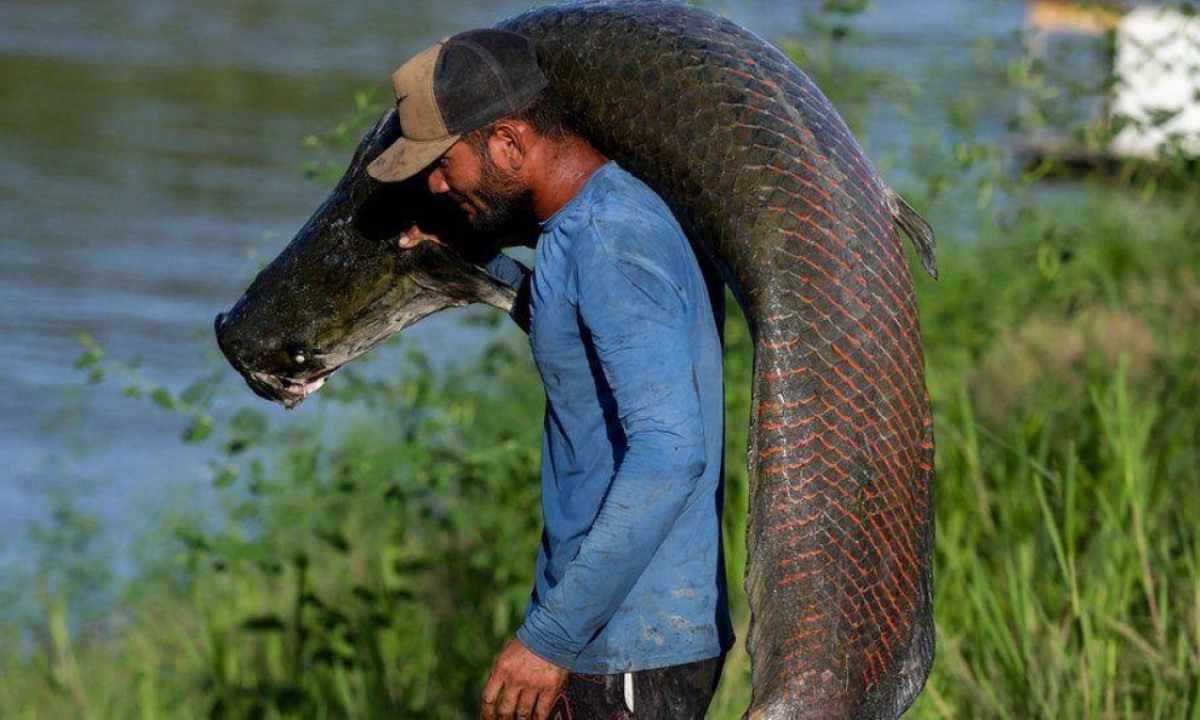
(371, 563)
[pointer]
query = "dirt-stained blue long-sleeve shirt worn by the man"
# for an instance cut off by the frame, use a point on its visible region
(631, 571)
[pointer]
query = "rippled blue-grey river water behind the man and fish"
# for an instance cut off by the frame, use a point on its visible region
(151, 159)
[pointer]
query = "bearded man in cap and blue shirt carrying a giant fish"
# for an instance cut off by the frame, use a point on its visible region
(628, 614)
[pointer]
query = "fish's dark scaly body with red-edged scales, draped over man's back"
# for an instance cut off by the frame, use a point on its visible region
(771, 187)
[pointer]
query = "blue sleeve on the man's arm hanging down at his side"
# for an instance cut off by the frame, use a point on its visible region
(638, 320)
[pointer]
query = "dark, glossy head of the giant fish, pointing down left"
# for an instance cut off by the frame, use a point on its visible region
(346, 283)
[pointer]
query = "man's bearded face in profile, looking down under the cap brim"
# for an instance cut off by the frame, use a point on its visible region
(490, 196)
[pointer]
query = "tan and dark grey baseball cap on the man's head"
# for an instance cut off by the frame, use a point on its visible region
(458, 86)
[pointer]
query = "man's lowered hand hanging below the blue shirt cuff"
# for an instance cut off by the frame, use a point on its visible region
(523, 686)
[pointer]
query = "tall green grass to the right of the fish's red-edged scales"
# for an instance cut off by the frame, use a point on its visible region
(1070, 469)
